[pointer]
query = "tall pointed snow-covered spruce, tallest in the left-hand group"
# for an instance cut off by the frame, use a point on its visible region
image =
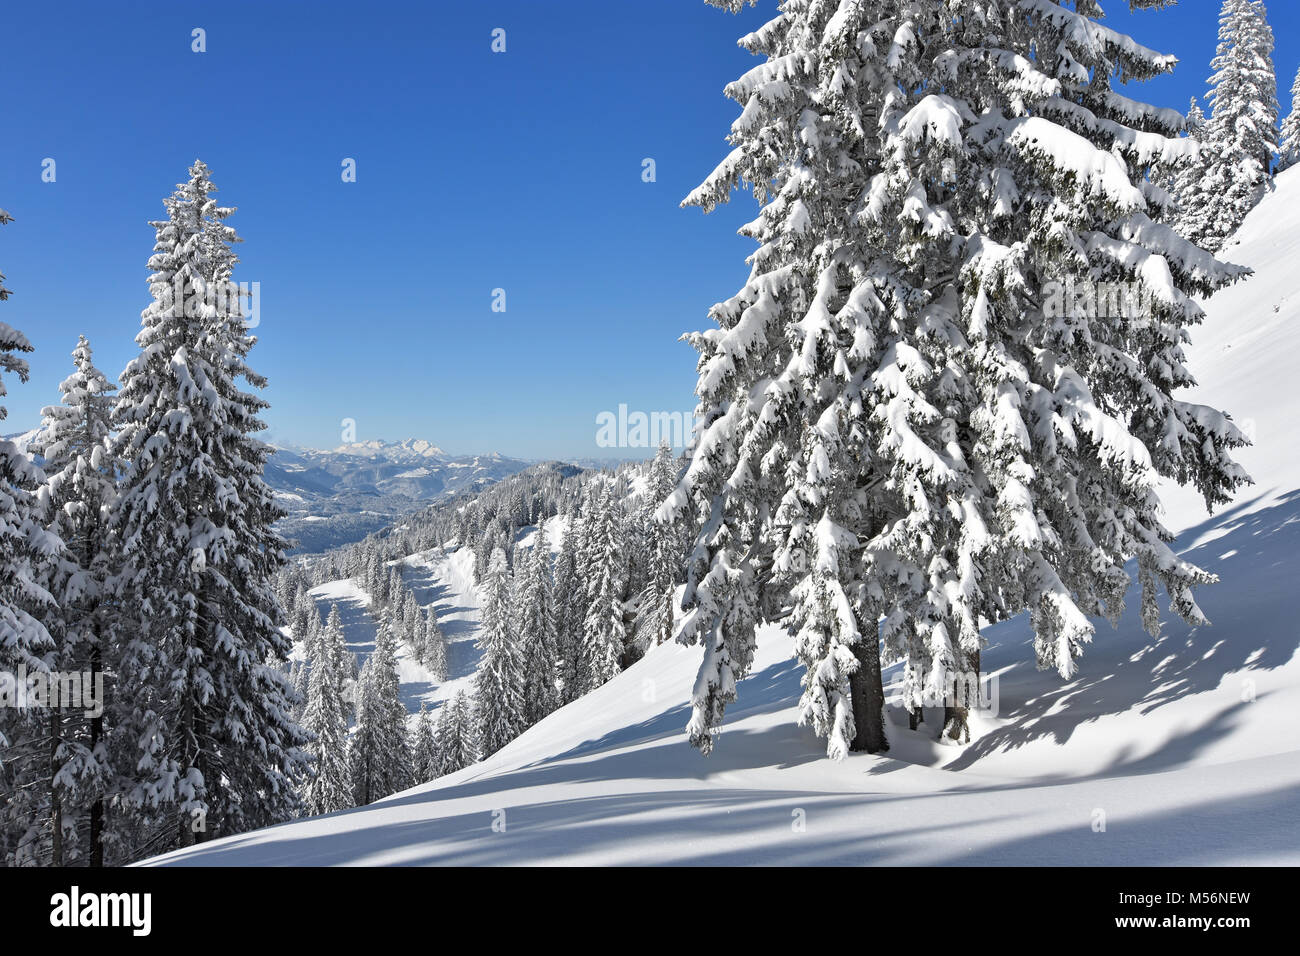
(215, 746)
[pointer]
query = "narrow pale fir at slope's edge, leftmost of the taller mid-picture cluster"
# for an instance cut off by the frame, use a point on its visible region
(500, 680)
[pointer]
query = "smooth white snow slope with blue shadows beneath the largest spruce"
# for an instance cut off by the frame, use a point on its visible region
(1180, 751)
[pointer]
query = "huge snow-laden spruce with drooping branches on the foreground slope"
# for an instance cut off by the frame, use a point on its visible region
(905, 434)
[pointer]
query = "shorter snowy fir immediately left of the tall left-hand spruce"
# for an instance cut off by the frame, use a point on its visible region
(76, 444)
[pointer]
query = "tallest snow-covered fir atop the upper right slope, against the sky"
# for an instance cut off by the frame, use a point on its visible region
(1241, 136)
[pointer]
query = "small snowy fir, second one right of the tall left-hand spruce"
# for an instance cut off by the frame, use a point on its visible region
(379, 754)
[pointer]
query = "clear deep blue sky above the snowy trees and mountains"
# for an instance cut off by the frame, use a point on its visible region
(476, 171)
